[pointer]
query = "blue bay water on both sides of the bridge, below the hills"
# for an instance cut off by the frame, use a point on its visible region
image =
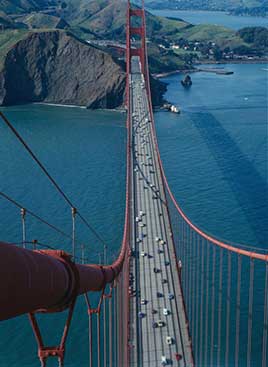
(214, 154)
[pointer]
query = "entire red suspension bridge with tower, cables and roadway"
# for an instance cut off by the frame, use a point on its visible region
(173, 296)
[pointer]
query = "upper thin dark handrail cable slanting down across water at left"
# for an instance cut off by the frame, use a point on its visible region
(52, 180)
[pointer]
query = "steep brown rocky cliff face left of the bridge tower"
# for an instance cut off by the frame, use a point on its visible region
(54, 67)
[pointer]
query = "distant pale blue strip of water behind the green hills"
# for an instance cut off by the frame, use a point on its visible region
(213, 17)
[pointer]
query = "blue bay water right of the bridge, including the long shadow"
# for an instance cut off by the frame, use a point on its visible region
(215, 152)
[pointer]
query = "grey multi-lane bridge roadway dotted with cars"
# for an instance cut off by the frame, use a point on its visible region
(155, 272)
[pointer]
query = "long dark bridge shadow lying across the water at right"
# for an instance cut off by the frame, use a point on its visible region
(248, 186)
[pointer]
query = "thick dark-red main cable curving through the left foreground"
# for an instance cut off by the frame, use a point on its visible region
(36, 280)
